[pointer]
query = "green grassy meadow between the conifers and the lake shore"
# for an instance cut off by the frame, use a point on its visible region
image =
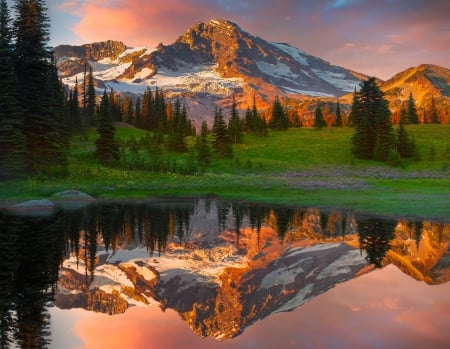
(302, 167)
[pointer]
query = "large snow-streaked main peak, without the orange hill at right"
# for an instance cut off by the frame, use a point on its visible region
(211, 61)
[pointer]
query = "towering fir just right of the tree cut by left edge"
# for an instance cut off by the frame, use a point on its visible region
(40, 97)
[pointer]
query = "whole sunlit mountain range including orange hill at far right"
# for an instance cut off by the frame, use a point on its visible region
(213, 61)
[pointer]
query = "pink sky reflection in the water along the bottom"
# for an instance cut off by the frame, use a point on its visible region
(361, 313)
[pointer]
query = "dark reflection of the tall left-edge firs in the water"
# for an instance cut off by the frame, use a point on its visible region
(32, 250)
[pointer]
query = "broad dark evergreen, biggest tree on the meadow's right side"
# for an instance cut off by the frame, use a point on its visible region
(373, 136)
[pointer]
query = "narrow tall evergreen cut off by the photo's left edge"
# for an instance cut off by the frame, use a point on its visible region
(12, 142)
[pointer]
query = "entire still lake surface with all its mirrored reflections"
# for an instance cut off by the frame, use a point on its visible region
(207, 273)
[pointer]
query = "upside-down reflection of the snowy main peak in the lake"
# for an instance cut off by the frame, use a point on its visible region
(218, 289)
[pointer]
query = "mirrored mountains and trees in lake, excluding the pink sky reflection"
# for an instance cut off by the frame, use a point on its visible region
(221, 265)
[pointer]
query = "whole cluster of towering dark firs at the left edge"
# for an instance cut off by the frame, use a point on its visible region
(33, 136)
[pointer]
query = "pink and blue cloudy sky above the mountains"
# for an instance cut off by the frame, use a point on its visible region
(375, 37)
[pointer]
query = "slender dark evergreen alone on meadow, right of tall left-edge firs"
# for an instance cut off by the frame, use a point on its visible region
(107, 149)
